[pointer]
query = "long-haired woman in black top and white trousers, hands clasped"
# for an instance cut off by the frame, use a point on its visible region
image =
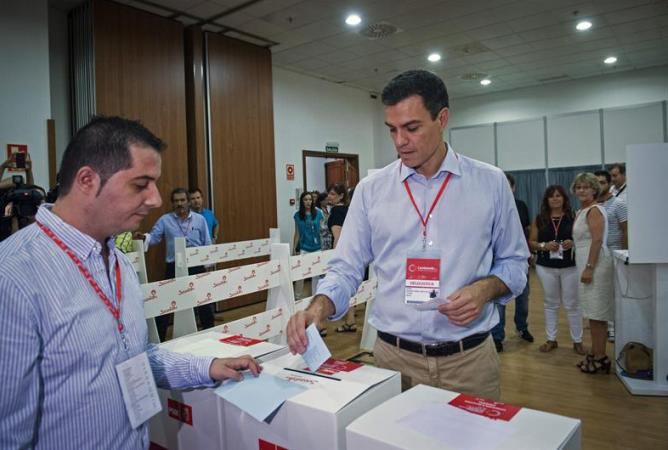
(552, 238)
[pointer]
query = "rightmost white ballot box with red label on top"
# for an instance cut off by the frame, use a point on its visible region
(428, 418)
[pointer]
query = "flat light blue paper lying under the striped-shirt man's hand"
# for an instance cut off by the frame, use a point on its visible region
(259, 396)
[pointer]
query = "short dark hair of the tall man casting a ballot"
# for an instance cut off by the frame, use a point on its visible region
(417, 82)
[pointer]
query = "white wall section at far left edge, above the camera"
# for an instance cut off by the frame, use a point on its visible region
(24, 80)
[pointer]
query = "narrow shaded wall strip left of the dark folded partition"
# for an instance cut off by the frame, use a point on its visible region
(59, 79)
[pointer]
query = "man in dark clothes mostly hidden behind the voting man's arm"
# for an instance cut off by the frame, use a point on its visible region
(522, 300)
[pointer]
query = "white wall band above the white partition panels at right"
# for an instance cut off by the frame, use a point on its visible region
(609, 91)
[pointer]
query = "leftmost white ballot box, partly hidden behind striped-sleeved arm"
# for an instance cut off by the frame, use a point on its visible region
(192, 419)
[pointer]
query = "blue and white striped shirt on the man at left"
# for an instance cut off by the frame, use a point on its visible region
(59, 345)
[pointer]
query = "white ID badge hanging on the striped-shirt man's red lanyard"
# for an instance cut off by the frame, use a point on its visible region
(140, 393)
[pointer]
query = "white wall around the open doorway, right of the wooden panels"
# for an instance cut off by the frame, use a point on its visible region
(308, 113)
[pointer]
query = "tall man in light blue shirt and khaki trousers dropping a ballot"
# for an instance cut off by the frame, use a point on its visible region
(441, 205)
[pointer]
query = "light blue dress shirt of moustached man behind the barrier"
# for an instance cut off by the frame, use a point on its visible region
(194, 228)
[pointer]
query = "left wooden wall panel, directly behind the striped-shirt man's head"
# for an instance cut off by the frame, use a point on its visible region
(140, 74)
